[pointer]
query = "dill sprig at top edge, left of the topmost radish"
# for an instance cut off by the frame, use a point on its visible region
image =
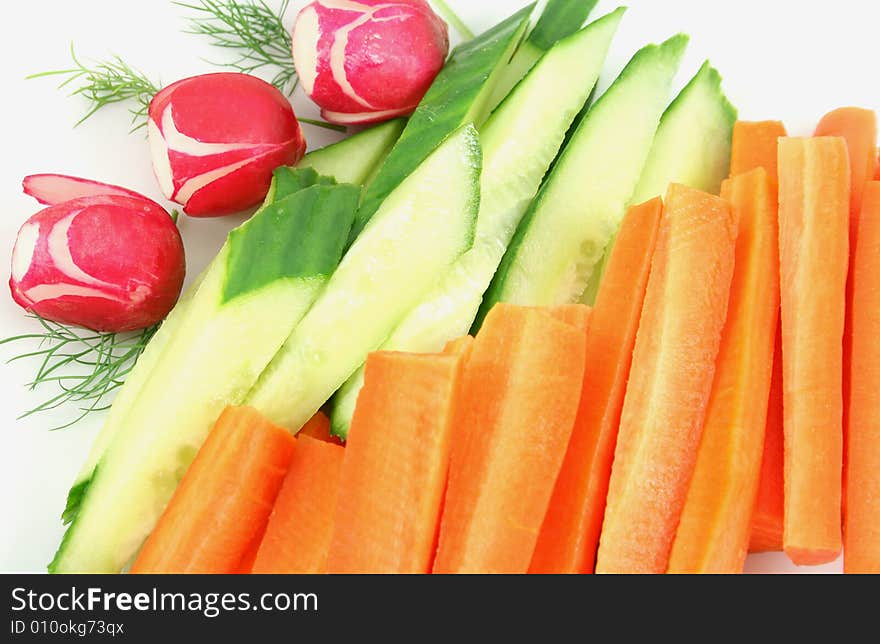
(253, 30)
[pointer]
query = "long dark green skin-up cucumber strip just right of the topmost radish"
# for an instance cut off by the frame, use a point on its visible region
(459, 95)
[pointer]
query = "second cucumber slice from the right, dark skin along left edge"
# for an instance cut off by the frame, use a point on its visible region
(566, 229)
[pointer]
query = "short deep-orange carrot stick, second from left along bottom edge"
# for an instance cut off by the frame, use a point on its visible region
(298, 534)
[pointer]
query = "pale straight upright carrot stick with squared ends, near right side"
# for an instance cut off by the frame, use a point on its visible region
(814, 199)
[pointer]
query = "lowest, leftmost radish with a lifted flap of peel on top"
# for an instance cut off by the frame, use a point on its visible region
(101, 257)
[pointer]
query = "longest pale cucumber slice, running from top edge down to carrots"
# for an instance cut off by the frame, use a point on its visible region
(512, 173)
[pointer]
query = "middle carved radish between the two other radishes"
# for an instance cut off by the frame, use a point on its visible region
(216, 138)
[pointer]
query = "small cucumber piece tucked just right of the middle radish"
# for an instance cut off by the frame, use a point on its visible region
(355, 159)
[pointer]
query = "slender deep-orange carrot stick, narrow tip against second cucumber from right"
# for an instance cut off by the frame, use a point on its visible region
(570, 533)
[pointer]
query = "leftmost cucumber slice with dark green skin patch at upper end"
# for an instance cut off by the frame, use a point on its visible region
(267, 275)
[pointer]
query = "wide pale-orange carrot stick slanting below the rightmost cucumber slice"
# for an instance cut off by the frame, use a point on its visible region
(670, 382)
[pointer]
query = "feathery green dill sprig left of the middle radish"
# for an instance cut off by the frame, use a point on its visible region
(106, 82)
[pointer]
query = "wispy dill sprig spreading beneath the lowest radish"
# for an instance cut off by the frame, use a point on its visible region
(85, 366)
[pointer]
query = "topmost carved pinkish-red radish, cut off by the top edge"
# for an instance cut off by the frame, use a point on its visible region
(364, 61)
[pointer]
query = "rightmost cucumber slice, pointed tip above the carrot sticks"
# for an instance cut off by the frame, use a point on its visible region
(692, 147)
